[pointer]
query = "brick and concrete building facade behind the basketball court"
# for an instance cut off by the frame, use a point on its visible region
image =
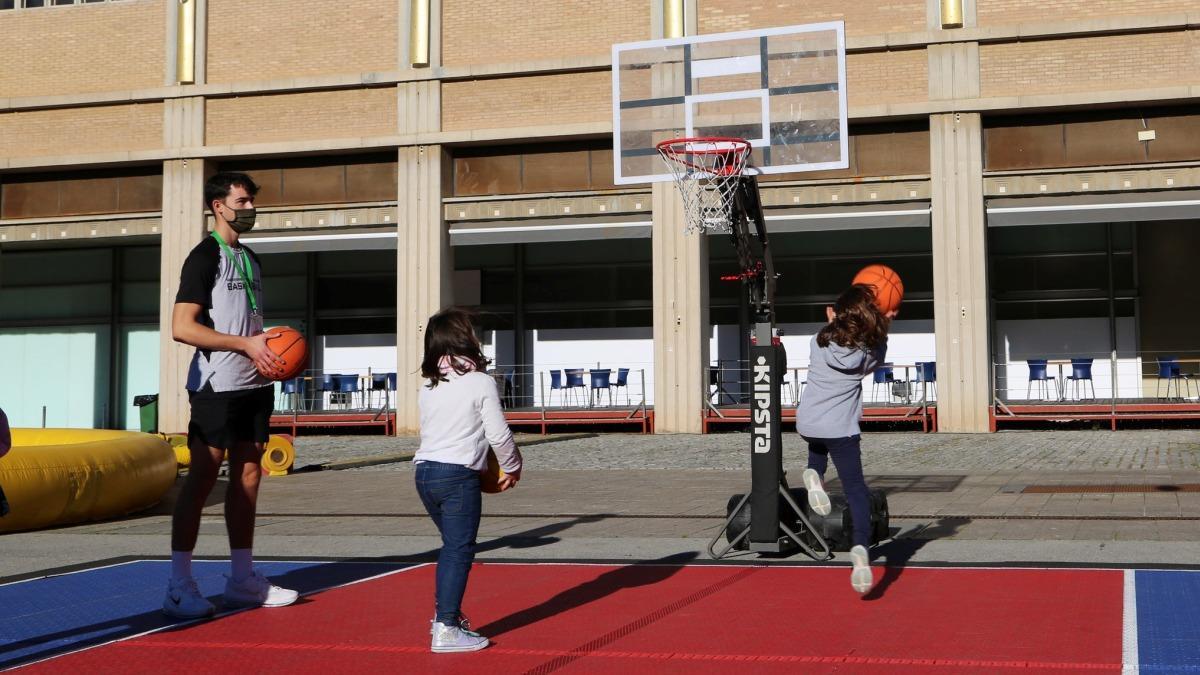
(1031, 169)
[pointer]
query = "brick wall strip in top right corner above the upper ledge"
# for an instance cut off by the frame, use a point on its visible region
(999, 13)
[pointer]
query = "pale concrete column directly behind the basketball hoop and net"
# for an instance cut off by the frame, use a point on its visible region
(681, 316)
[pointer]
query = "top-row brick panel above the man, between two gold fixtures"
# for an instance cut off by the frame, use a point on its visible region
(281, 39)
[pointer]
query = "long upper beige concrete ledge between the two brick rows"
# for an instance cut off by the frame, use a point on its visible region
(1012, 33)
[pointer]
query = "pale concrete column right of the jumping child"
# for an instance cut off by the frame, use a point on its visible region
(961, 272)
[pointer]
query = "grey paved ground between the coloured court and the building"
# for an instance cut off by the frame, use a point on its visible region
(955, 499)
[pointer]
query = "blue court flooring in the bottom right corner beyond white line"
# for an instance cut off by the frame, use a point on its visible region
(1168, 622)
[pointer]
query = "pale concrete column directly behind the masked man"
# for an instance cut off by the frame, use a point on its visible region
(183, 226)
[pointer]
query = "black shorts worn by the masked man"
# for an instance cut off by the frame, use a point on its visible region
(223, 419)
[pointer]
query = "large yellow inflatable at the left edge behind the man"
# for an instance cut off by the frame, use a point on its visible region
(64, 476)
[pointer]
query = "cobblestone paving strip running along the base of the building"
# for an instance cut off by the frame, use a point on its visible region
(901, 452)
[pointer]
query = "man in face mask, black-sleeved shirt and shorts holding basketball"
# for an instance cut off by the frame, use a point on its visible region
(219, 312)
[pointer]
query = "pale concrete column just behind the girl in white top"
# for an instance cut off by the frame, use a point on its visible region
(424, 270)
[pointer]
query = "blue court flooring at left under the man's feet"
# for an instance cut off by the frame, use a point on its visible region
(41, 618)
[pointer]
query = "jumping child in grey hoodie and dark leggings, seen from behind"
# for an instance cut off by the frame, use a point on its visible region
(849, 349)
